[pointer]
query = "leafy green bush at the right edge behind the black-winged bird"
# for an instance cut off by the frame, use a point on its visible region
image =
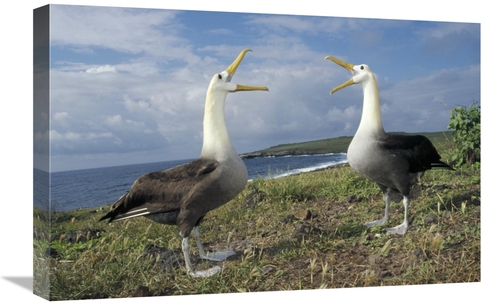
(466, 125)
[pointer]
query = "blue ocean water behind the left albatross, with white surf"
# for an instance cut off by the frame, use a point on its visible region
(93, 188)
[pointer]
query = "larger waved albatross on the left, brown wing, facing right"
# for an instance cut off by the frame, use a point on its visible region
(183, 195)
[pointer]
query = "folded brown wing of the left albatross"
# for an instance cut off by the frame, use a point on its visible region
(161, 191)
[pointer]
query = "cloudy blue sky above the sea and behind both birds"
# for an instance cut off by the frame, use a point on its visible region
(128, 84)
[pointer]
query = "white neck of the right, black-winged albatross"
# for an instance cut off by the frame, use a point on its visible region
(371, 122)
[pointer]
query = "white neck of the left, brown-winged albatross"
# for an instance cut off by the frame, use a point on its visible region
(216, 142)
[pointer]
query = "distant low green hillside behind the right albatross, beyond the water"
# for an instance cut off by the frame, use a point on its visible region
(336, 145)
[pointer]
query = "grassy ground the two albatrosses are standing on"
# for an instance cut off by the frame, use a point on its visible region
(294, 233)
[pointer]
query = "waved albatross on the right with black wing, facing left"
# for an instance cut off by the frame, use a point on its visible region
(391, 161)
